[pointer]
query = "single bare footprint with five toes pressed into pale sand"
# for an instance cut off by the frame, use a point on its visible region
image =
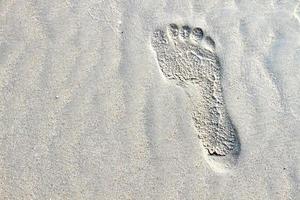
(187, 57)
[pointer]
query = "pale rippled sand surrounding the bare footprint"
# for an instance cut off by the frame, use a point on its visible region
(85, 112)
